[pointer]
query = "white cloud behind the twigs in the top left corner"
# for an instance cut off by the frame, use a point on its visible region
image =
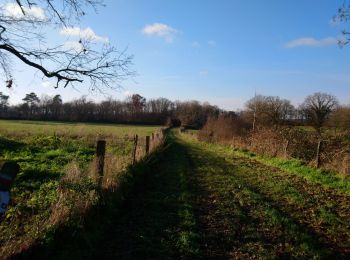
(14, 10)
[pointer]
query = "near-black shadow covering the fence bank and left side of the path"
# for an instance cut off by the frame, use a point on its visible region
(148, 217)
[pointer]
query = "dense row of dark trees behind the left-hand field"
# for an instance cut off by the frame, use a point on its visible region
(135, 109)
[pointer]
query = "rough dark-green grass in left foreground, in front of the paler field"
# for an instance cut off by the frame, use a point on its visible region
(43, 161)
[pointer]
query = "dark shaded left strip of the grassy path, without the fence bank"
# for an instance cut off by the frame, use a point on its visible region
(157, 220)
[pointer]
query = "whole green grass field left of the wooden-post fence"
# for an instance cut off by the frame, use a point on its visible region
(49, 154)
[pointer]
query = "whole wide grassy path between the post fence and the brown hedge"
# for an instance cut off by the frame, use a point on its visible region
(201, 201)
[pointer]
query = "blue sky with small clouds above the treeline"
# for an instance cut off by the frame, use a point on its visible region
(217, 51)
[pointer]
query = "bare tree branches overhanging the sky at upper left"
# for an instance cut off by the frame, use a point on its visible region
(23, 24)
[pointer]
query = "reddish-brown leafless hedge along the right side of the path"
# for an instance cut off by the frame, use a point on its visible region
(283, 141)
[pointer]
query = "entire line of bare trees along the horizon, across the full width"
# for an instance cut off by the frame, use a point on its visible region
(317, 110)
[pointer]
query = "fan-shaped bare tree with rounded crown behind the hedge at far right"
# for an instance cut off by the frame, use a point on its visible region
(317, 108)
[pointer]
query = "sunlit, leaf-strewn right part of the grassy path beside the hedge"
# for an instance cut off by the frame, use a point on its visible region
(266, 211)
